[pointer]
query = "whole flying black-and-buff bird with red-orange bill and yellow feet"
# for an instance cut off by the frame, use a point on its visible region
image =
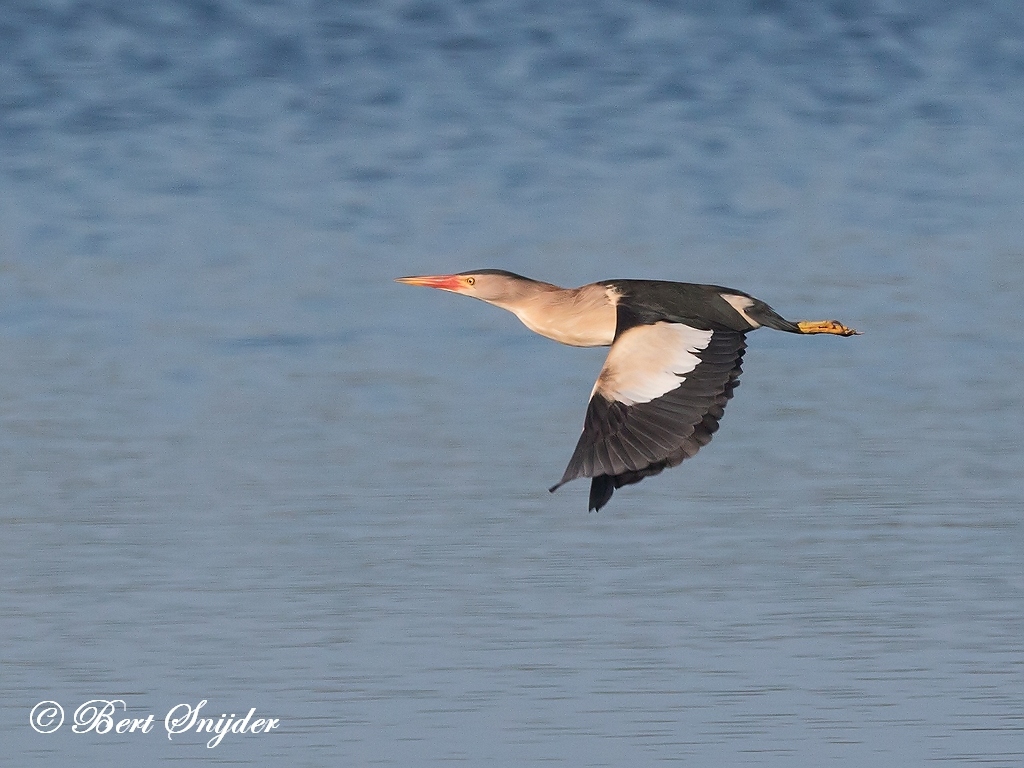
(675, 360)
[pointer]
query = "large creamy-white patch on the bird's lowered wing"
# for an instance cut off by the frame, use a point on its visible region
(647, 362)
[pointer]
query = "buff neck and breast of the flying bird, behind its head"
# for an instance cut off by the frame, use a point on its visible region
(578, 317)
